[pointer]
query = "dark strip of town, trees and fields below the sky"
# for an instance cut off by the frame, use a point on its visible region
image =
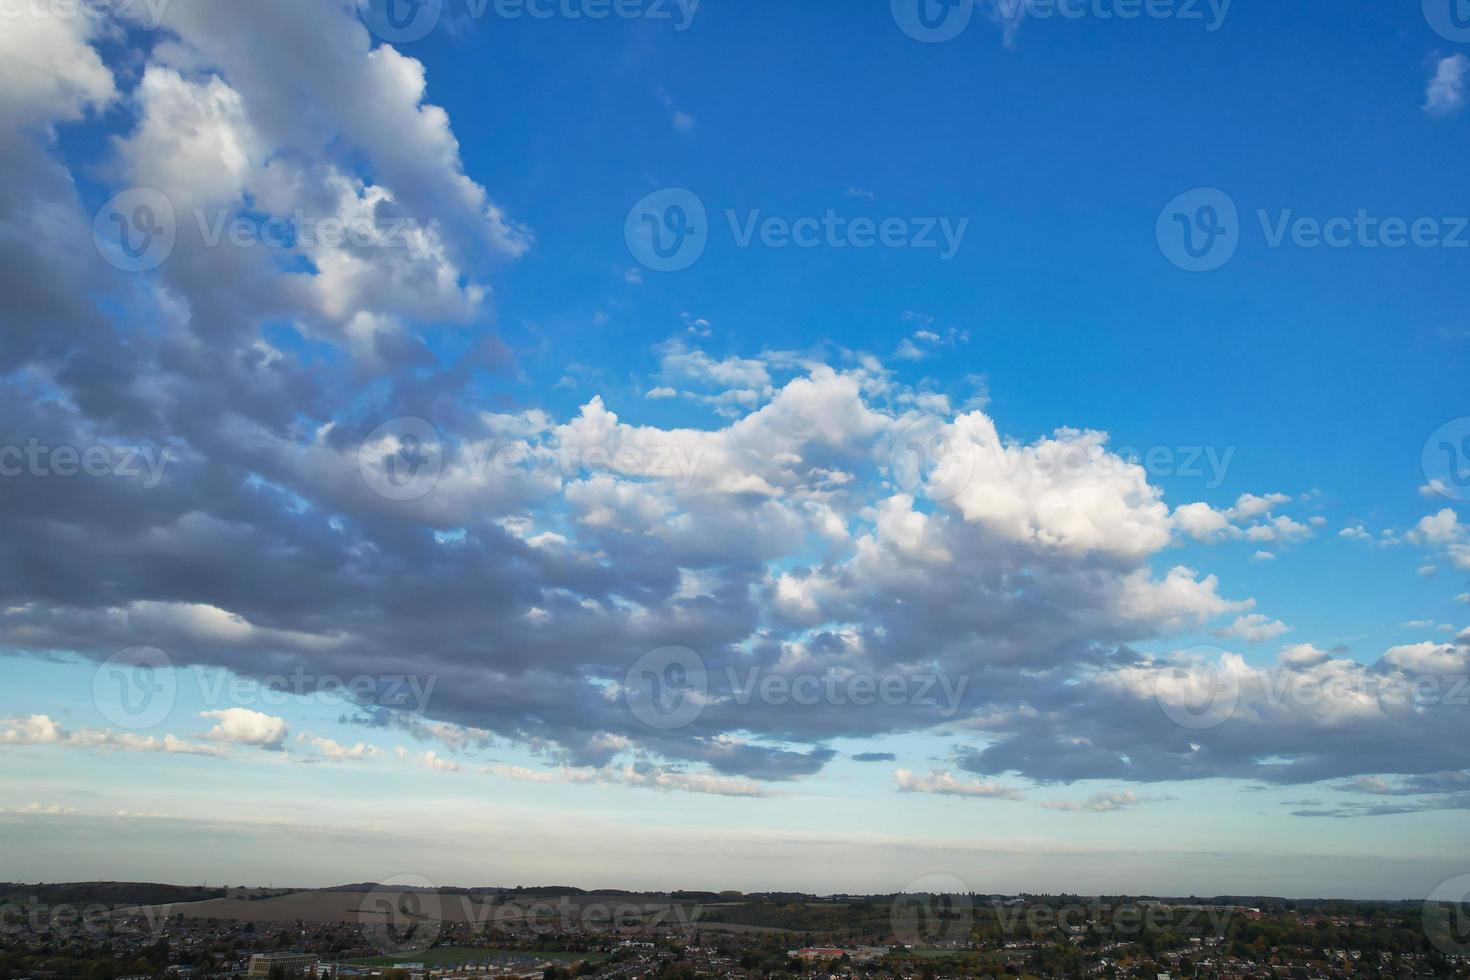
(559, 934)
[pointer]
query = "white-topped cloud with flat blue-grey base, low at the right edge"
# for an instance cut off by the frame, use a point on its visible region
(1311, 718)
